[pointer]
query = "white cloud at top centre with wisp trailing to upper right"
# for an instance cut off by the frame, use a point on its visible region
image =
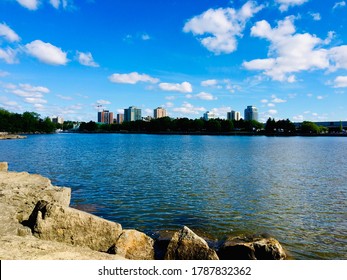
(218, 29)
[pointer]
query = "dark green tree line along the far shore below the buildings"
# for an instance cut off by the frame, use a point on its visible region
(31, 122)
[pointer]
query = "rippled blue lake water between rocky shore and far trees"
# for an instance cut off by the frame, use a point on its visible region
(293, 188)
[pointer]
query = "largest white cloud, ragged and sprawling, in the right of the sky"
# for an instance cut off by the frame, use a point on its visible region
(289, 52)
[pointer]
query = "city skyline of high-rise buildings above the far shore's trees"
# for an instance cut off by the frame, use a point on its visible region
(134, 114)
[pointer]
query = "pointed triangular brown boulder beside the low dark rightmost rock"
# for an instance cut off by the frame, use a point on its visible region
(186, 245)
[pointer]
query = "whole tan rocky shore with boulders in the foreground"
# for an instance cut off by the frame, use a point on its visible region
(37, 223)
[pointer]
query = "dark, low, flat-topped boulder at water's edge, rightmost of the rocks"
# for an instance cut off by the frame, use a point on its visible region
(251, 248)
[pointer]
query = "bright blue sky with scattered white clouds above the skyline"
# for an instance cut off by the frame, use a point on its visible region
(66, 57)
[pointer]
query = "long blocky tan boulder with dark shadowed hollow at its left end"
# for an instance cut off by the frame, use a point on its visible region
(56, 222)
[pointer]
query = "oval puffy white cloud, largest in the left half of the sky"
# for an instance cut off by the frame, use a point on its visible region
(46, 53)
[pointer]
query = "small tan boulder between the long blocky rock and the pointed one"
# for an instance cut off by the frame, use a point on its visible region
(134, 245)
